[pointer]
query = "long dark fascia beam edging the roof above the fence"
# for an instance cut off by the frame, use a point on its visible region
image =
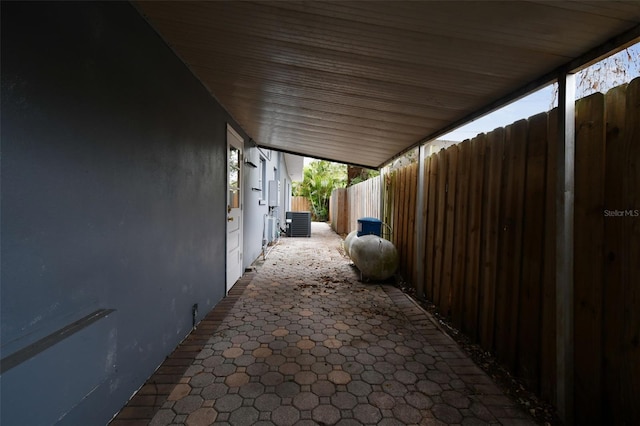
(608, 48)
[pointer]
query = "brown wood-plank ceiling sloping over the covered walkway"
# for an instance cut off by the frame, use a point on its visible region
(360, 82)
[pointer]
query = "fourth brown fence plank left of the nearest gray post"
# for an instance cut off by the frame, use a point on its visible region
(495, 145)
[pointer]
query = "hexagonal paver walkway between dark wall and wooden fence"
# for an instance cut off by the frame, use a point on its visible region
(306, 343)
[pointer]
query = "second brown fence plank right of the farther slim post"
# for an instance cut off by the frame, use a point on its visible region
(440, 227)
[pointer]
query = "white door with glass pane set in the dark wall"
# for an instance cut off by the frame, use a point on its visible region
(234, 207)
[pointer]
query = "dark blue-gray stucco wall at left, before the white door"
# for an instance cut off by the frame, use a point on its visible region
(113, 197)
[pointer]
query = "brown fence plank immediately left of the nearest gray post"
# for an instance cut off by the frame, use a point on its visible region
(548, 321)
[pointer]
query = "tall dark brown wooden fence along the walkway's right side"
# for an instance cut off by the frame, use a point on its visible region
(488, 246)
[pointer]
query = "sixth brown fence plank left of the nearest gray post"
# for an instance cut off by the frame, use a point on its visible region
(460, 237)
